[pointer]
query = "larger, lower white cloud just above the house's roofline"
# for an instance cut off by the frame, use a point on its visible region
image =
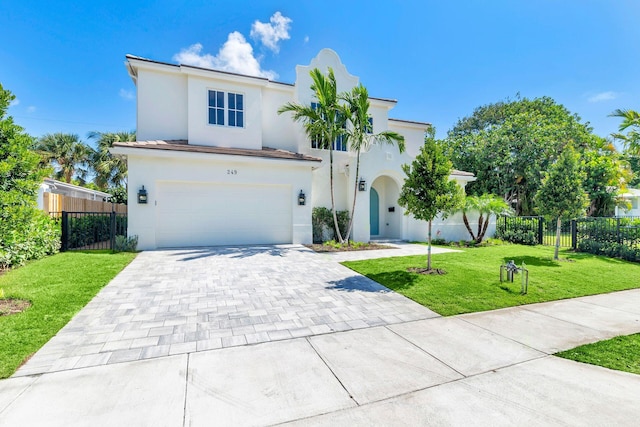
(235, 55)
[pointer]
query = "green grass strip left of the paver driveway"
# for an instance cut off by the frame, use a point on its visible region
(58, 287)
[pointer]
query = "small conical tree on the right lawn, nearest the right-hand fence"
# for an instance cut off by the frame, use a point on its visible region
(561, 194)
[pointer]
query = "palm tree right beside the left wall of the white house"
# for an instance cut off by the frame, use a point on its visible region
(110, 171)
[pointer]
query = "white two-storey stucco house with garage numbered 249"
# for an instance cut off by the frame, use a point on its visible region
(221, 167)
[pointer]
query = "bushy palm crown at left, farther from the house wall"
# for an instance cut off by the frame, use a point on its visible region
(67, 152)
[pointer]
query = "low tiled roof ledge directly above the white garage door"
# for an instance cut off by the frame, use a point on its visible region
(183, 145)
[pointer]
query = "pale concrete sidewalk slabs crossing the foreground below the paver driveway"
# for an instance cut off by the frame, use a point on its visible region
(490, 368)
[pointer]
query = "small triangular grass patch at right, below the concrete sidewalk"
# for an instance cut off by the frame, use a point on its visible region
(620, 353)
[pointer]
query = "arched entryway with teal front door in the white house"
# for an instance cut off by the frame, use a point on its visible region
(385, 215)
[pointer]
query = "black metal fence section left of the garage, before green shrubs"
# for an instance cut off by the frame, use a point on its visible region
(91, 230)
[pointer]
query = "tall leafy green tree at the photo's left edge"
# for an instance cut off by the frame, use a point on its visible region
(25, 231)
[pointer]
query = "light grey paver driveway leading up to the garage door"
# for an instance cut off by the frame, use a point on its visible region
(181, 301)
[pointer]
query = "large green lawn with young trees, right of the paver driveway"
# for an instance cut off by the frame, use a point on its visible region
(472, 282)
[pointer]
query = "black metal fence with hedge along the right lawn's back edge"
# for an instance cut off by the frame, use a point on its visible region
(618, 236)
